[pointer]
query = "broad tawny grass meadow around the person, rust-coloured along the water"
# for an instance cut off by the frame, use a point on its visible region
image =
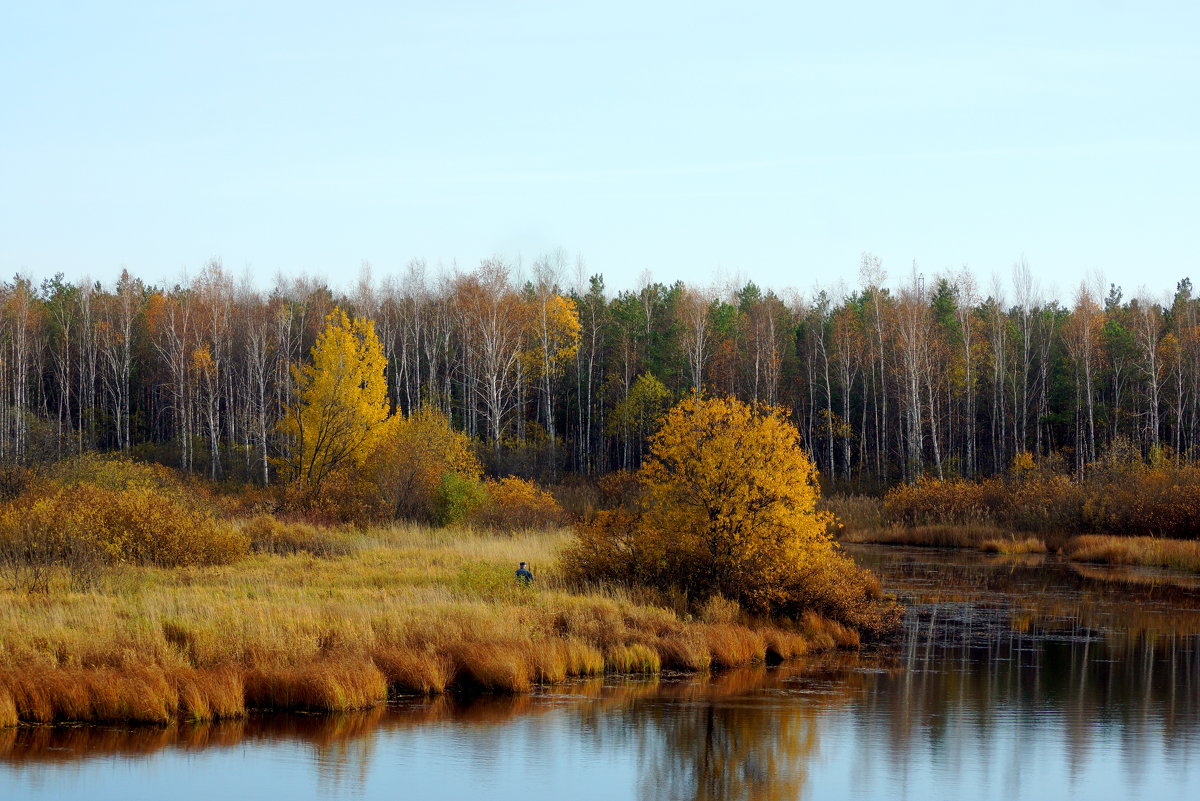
(407, 610)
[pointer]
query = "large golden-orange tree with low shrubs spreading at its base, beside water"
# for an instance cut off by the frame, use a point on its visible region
(728, 507)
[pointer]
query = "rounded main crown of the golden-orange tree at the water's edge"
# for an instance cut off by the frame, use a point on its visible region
(730, 485)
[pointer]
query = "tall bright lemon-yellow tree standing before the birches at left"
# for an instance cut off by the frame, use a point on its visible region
(341, 401)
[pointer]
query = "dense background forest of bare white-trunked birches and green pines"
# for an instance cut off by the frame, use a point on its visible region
(931, 376)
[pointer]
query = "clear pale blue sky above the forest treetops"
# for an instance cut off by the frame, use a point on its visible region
(775, 142)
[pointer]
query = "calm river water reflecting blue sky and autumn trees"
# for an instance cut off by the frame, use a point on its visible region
(1016, 679)
